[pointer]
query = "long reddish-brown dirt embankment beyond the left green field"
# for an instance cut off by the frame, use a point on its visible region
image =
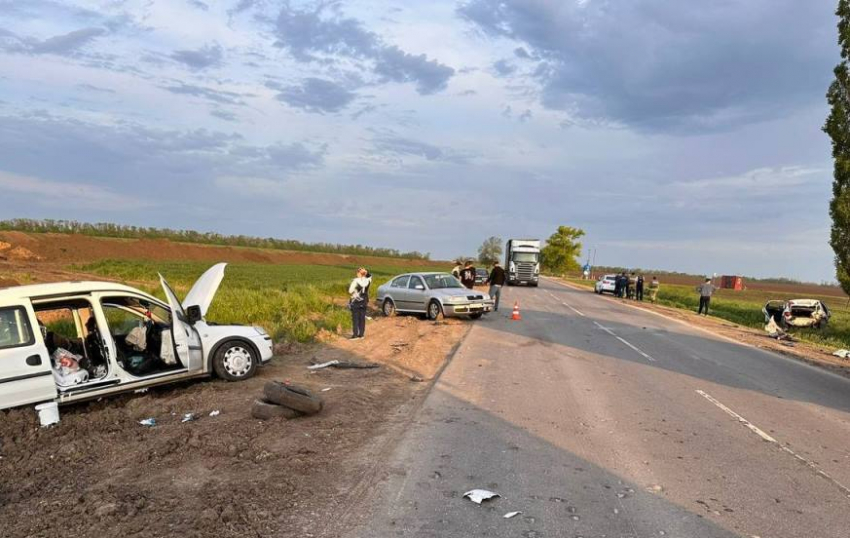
(71, 248)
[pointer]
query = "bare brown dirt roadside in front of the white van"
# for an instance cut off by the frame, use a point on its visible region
(100, 473)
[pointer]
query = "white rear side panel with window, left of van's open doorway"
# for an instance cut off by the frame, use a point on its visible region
(25, 375)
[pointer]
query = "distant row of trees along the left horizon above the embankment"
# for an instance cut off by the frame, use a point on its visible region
(107, 229)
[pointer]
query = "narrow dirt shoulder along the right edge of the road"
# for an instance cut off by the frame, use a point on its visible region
(813, 354)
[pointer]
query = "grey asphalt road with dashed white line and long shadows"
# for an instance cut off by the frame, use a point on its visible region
(596, 419)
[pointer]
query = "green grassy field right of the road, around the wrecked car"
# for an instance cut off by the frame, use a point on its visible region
(744, 308)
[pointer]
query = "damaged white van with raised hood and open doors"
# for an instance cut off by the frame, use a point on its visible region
(72, 341)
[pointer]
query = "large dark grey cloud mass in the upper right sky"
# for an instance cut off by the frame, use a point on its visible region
(660, 66)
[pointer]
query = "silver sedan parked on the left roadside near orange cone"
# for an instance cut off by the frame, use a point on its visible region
(432, 294)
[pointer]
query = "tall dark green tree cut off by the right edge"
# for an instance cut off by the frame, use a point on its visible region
(838, 128)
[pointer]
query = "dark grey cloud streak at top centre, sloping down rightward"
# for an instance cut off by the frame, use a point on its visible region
(310, 35)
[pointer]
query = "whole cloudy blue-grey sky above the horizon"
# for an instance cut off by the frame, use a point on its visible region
(679, 135)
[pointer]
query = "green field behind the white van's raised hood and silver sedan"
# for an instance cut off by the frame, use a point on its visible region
(292, 302)
